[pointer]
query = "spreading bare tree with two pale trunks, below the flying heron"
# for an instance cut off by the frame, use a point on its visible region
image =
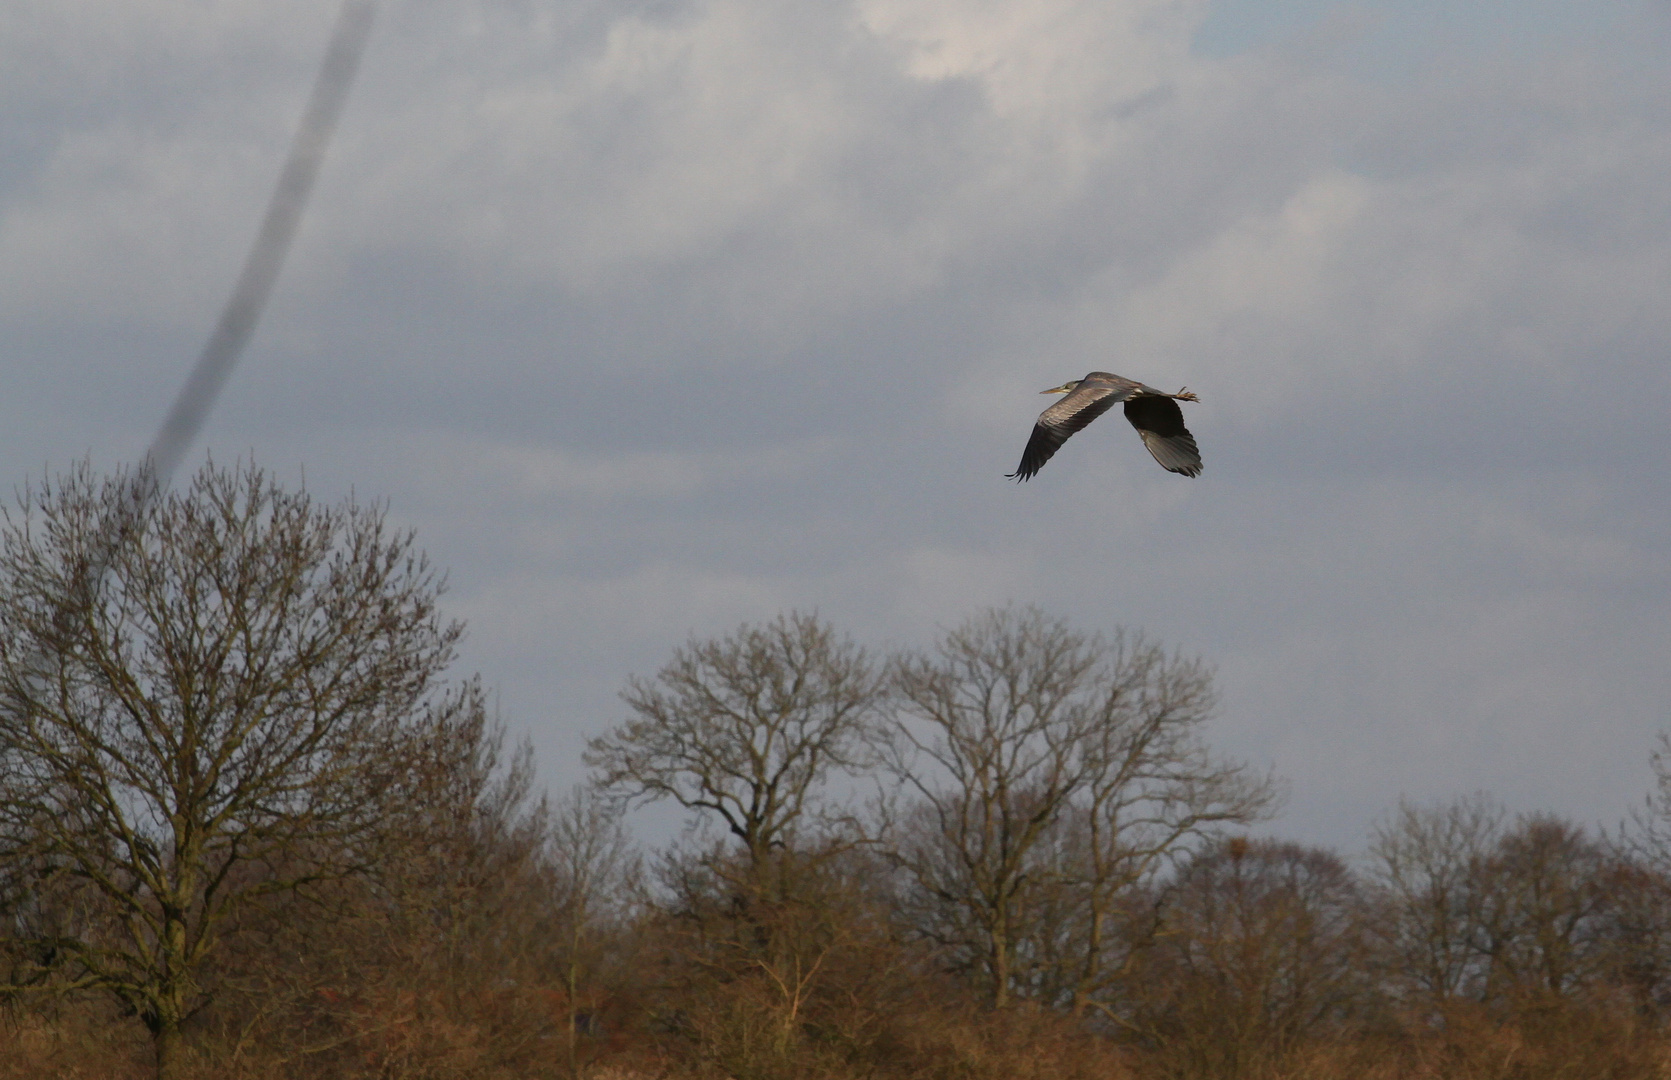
(1052, 773)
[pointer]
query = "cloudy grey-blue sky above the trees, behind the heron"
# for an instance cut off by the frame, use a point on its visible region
(654, 317)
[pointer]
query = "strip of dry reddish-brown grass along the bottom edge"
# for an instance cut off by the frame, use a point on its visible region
(510, 1037)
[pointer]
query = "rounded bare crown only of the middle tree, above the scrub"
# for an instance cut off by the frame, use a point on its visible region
(746, 728)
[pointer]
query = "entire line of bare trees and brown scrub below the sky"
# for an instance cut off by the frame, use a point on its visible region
(250, 828)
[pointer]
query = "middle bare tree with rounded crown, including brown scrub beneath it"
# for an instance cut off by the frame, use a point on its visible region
(749, 730)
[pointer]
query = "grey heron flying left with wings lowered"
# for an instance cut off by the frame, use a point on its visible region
(1152, 412)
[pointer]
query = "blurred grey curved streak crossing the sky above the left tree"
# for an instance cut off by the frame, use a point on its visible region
(273, 243)
